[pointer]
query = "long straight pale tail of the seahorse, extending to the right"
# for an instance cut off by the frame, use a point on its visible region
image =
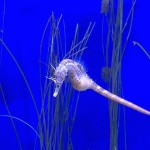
(118, 99)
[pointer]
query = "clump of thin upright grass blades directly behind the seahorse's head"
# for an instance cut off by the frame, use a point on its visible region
(61, 115)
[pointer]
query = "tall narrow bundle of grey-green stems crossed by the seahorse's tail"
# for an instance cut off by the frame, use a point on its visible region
(113, 50)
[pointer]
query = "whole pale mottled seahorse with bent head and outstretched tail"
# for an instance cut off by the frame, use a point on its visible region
(81, 82)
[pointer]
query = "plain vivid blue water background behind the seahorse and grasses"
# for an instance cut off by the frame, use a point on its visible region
(23, 27)
